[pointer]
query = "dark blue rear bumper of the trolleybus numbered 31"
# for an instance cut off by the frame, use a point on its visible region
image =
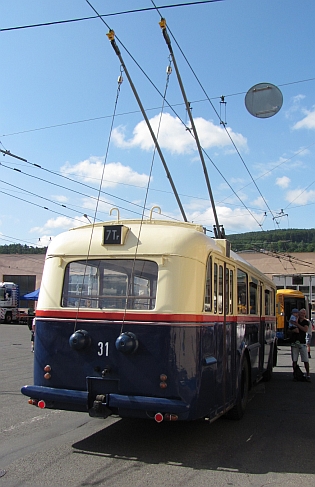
(107, 404)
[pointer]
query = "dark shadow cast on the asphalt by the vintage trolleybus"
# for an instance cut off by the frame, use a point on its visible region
(276, 434)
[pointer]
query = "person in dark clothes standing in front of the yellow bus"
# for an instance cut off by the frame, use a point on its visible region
(298, 343)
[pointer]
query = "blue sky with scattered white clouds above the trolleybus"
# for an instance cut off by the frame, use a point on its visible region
(70, 115)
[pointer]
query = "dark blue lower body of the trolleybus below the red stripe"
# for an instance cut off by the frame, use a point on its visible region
(201, 368)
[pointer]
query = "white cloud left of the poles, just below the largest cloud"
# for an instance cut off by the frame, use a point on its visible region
(91, 171)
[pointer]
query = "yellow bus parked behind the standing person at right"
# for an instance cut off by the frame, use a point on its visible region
(286, 300)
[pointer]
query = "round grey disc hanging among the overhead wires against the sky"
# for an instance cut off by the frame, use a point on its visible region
(263, 100)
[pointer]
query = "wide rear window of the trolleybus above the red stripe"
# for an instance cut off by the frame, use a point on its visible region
(113, 284)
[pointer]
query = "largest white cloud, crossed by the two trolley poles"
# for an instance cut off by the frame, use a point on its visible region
(175, 138)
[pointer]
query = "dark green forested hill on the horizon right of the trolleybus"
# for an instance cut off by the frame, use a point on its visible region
(293, 240)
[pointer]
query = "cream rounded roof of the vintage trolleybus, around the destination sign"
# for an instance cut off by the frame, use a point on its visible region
(148, 237)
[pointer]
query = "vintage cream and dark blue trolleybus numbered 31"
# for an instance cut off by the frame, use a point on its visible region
(150, 319)
